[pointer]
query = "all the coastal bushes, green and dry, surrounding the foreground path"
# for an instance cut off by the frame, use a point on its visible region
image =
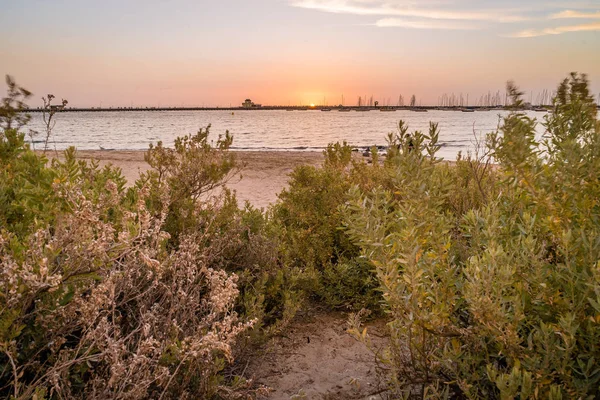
(487, 271)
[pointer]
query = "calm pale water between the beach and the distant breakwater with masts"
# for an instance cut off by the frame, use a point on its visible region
(264, 130)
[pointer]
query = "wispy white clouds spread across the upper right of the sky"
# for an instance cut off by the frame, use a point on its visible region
(467, 14)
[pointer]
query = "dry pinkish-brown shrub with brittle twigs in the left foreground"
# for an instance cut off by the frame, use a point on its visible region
(91, 310)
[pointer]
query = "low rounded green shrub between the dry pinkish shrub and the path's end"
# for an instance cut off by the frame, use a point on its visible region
(246, 242)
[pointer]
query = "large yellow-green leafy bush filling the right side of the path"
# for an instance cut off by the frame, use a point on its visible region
(506, 306)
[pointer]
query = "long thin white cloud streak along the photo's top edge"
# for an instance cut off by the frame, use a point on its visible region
(406, 9)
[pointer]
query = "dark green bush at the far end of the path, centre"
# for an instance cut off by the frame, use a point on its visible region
(312, 238)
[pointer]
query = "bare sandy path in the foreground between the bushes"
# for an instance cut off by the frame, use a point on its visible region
(317, 359)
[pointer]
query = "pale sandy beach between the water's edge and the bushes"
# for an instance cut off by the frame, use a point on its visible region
(265, 173)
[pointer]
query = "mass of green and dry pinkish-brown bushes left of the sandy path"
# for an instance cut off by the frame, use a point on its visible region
(96, 299)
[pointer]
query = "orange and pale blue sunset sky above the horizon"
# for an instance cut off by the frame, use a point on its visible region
(282, 52)
